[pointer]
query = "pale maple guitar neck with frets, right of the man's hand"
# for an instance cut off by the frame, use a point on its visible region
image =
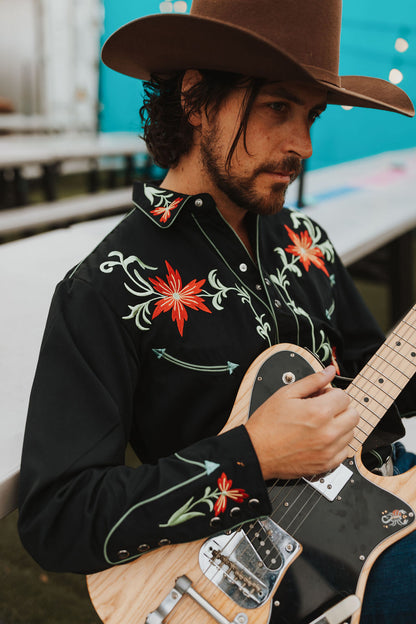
(382, 379)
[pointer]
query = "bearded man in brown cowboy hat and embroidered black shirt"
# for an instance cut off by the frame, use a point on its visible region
(148, 338)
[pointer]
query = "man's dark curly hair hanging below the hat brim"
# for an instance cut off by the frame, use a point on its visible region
(166, 127)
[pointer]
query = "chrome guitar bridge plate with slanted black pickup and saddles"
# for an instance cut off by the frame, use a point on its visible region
(247, 564)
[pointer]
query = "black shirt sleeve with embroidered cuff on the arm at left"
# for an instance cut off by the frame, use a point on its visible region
(81, 508)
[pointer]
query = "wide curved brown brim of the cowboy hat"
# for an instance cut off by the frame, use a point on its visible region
(160, 44)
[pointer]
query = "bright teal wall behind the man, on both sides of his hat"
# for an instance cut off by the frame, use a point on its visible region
(370, 29)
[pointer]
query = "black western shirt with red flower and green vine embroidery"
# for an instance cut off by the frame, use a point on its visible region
(147, 342)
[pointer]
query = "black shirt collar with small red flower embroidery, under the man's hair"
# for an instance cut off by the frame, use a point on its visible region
(161, 205)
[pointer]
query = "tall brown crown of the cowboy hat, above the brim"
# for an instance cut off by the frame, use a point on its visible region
(287, 24)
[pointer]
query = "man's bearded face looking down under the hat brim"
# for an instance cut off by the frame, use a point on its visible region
(277, 140)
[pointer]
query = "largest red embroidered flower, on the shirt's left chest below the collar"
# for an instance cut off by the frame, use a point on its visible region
(175, 297)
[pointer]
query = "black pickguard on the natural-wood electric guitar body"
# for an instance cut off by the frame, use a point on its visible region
(337, 536)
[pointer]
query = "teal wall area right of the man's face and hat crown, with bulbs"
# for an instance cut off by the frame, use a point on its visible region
(370, 29)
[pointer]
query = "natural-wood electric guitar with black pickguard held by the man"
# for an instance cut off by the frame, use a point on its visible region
(308, 562)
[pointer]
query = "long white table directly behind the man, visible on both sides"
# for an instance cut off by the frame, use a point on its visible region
(358, 221)
